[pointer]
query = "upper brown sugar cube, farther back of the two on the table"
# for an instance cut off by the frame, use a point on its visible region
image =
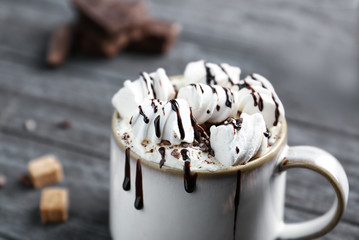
(45, 170)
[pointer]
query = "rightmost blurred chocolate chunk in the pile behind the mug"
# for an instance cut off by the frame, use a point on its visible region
(157, 37)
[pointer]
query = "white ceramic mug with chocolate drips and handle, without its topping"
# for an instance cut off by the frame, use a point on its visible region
(244, 202)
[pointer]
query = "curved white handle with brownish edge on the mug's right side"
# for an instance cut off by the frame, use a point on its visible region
(328, 166)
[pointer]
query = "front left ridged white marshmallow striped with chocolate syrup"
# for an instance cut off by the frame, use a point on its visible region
(156, 120)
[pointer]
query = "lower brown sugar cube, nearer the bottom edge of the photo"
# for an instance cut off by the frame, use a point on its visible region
(54, 205)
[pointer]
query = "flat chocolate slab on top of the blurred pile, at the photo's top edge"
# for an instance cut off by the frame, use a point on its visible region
(111, 16)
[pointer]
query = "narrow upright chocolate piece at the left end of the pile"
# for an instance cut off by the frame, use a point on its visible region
(60, 45)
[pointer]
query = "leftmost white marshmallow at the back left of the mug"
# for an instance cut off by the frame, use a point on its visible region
(155, 85)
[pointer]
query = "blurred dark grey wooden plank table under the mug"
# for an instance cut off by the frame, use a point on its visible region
(306, 48)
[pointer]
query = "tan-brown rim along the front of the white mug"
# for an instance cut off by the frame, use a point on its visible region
(256, 163)
